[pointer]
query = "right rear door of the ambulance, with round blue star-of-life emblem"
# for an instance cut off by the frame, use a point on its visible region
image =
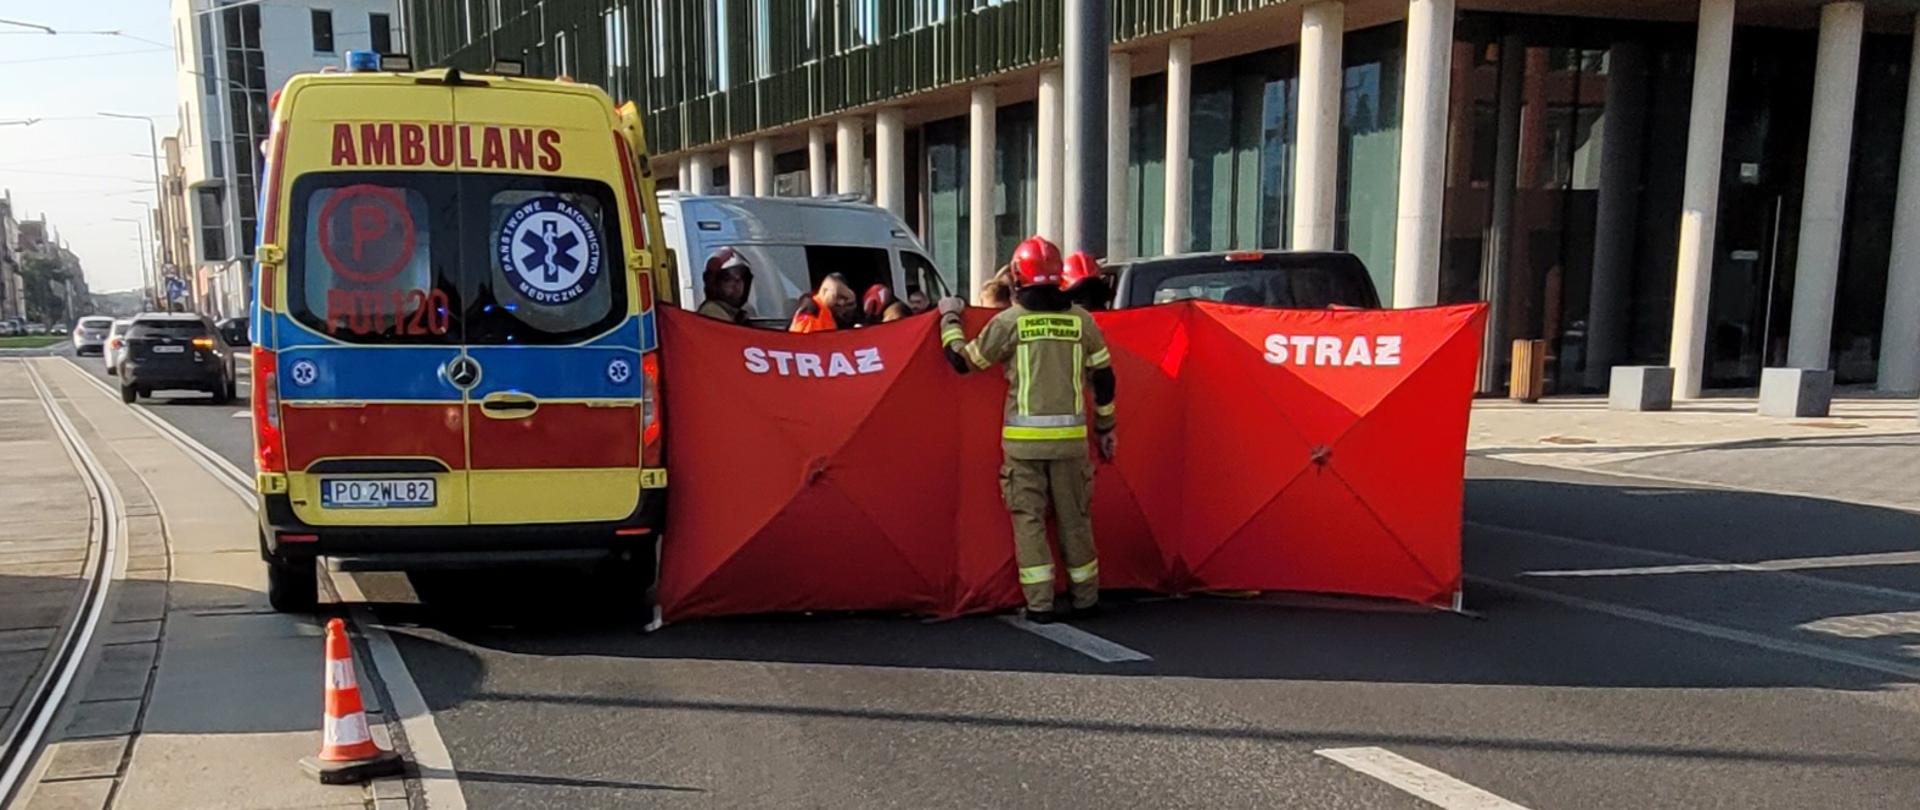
(554, 320)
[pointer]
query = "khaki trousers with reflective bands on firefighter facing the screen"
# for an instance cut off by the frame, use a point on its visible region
(1030, 485)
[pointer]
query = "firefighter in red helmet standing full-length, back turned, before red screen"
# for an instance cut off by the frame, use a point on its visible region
(1051, 350)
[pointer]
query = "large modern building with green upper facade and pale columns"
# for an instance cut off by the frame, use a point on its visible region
(1714, 185)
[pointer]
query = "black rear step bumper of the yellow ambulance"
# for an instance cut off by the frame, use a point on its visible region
(385, 548)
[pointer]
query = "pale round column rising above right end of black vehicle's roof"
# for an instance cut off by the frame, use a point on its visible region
(1318, 128)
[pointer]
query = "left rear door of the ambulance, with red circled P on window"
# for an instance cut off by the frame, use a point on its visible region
(370, 343)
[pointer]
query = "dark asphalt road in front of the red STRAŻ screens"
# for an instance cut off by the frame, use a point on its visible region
(1618, 661)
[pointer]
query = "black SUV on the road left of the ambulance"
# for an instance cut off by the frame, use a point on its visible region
(176, 352)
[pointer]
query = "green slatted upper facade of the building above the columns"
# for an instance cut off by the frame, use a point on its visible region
(713, 70)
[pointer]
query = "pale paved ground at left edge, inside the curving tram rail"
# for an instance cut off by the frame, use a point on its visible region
(45, 538)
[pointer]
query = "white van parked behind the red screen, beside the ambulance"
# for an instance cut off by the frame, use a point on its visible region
(794, 243)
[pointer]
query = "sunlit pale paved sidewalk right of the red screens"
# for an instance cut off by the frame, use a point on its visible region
(1867, 452)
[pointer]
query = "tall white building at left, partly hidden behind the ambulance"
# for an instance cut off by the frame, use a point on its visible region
(229, 60)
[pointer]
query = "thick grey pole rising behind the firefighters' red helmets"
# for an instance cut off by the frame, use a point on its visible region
(1084, 55)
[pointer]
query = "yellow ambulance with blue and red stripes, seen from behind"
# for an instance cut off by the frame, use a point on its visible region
(454, 329)
